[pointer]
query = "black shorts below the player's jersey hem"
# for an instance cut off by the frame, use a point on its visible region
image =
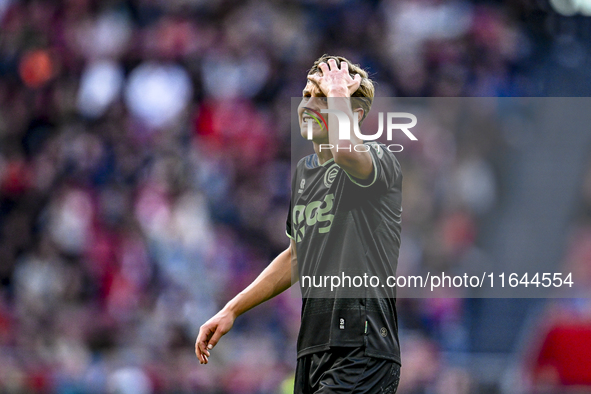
(345, 370)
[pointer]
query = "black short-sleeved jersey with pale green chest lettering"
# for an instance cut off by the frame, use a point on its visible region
(349, 228)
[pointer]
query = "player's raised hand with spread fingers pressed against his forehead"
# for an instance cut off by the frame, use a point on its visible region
(335, 82)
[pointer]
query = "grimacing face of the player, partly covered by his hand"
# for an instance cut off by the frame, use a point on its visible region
(313, 100)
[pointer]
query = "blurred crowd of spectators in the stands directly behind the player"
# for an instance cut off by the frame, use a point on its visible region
(145, 174)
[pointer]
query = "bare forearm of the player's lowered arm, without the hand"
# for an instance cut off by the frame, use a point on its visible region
(274, 279)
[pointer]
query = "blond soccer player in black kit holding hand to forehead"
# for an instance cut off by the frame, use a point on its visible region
(344, 220)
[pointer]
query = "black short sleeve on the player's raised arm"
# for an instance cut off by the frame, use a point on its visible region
(386, 169)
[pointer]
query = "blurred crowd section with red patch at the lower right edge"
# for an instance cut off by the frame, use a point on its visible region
(557, 359)
